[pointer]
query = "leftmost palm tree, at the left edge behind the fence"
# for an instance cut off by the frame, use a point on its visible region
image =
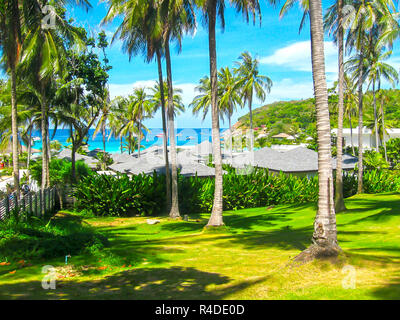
(10, 44)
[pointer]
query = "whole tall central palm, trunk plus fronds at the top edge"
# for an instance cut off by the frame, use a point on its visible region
(211, 9)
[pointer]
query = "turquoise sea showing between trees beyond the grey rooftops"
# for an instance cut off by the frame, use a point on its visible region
(185, 137)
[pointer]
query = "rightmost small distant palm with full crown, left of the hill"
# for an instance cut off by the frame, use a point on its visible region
(251, 82)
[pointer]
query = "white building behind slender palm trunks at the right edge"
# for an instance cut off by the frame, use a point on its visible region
(368, 138)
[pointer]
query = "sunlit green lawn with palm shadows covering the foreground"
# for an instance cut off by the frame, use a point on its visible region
(249, 260)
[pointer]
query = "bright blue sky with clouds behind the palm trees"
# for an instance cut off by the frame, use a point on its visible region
(283, 53)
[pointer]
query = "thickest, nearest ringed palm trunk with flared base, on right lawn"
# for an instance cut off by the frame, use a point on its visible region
(325, 234)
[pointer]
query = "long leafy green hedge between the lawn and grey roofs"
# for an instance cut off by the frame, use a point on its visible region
(106, 195)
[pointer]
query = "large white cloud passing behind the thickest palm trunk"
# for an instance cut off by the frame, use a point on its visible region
(297, 56)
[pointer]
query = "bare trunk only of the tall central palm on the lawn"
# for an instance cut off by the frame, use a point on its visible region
(216, 214)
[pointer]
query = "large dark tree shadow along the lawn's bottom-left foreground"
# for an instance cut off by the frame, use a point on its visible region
(142, 284)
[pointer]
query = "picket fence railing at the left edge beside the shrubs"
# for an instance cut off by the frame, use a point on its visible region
(39, 204)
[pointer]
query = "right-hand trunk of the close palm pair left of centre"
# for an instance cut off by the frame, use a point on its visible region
(174, 212)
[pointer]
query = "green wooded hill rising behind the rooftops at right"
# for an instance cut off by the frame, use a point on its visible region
(300, 115)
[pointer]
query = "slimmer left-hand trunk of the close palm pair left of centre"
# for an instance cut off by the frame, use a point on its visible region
(165, 138)
